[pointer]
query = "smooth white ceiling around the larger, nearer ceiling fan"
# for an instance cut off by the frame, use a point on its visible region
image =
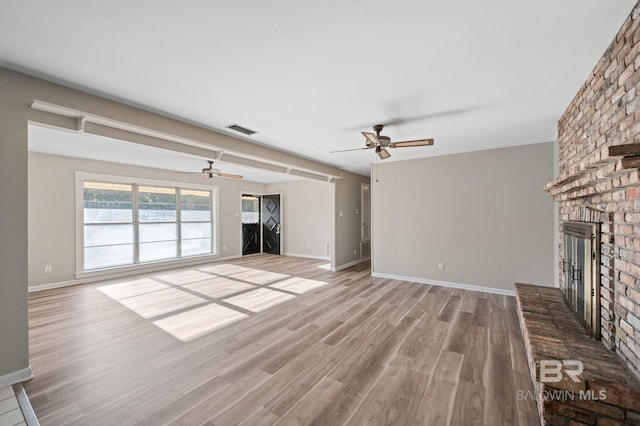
(309, 76)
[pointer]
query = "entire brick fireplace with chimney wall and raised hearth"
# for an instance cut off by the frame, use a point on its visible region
(598, 183)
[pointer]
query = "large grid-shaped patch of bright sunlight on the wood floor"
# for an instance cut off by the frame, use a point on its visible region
(191, 303)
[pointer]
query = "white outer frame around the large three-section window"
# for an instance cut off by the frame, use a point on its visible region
(81, 177)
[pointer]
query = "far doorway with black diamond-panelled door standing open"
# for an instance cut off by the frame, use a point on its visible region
(261, 224)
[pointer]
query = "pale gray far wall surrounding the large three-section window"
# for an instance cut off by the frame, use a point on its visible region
(52, 226)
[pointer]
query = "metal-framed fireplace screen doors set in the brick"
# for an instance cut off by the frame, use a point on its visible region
(581, 266)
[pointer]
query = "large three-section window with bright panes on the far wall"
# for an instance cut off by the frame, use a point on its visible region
(129, 223)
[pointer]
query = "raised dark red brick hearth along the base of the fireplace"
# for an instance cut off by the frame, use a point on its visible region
(607, 393)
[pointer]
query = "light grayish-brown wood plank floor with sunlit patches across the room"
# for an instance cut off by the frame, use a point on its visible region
(275, 340)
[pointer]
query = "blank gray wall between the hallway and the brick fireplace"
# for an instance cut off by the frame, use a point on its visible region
(483, 214)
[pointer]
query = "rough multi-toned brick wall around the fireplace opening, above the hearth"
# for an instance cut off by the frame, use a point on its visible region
(593, 186)
